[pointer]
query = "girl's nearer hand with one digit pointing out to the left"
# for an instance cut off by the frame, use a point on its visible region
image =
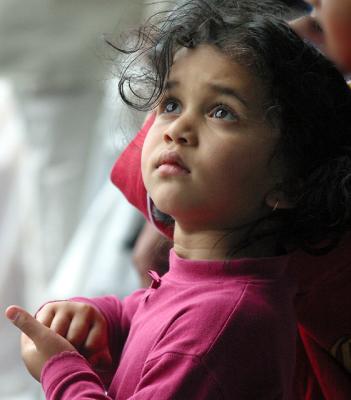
(39, 343)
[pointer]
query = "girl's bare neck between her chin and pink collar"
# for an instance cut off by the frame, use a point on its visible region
(218, 245)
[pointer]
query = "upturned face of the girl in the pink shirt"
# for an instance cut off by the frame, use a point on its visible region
(207, 160)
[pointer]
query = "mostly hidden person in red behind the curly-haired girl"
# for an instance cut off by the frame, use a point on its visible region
(323, 299)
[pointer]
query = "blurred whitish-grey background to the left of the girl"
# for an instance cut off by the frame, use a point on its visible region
(64, 229)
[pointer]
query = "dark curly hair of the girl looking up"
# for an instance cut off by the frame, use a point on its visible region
(308, 100)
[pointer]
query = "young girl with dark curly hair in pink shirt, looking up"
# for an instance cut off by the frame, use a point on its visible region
(249, 154)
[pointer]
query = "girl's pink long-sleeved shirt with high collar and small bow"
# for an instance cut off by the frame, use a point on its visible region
(205, 330)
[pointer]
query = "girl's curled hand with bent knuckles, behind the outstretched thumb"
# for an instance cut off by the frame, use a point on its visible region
(83, 326)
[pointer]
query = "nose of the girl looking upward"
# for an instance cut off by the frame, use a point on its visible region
(181, 131)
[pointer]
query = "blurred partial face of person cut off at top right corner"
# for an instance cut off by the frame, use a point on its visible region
(334, 16)
